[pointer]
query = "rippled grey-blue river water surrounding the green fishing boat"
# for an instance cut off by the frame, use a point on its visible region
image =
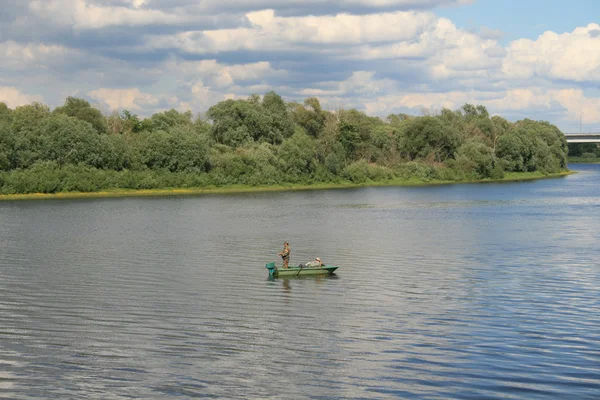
(462, 291)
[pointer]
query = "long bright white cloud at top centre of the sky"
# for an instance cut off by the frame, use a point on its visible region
(270, 32)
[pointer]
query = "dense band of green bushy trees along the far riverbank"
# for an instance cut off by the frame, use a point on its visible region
(262, 141)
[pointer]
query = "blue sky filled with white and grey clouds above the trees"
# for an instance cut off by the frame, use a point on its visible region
(537, 59)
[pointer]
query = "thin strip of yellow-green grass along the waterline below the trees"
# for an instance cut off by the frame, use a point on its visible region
(114, 193)
